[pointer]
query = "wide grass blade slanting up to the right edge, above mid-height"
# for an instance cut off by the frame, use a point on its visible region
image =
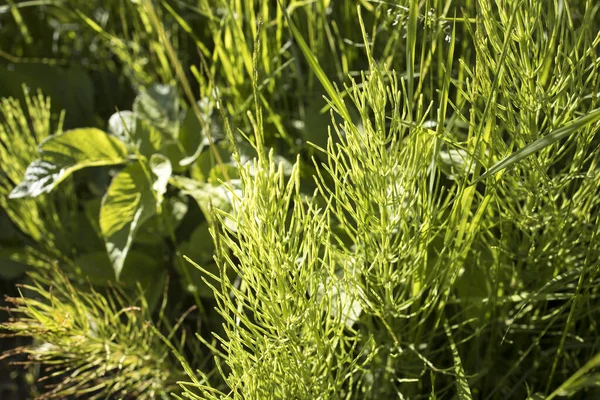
(542, 143)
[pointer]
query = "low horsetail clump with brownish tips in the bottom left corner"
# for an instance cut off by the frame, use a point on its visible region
(92, 344)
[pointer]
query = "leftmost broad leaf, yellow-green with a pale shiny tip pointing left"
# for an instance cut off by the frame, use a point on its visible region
(63, 154)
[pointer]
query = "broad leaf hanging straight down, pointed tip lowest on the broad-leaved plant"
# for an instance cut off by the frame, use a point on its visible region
(128, 203)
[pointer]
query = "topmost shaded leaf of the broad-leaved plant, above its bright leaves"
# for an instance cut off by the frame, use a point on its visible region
(159, 105)
